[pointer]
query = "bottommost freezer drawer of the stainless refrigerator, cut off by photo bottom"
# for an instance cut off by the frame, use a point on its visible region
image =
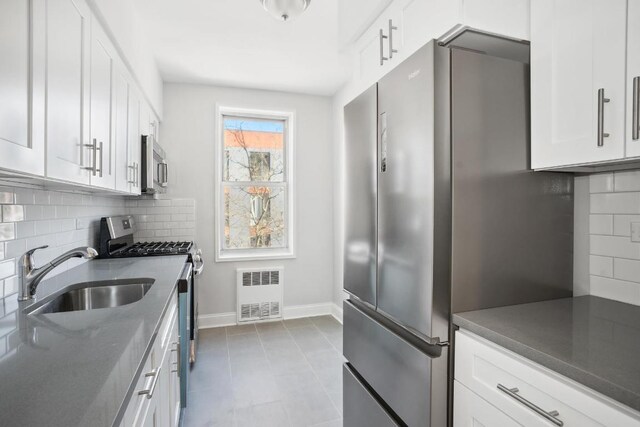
(361, 409)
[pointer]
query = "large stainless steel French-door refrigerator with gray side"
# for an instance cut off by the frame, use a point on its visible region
(442, 215)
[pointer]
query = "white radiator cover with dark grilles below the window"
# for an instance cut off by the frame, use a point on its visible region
(259, 293)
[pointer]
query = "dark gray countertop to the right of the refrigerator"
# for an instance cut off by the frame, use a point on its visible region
(591, 340)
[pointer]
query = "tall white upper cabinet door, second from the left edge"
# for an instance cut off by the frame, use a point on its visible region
(67, 101)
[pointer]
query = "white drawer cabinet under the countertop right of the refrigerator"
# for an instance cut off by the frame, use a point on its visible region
(496, 387)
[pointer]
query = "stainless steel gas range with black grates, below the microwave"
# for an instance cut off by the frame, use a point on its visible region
(116, 241)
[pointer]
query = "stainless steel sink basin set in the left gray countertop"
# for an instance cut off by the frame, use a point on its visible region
(93, 295)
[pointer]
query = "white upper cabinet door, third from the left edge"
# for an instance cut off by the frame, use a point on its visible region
(102, 83)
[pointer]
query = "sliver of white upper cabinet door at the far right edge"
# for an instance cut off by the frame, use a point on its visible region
(633, 79)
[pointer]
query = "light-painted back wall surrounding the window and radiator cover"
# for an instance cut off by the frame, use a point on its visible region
(188, 133)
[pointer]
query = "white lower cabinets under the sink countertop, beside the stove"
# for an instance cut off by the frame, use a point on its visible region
(155, 402)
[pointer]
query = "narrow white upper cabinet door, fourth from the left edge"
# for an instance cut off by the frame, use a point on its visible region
(123, 173)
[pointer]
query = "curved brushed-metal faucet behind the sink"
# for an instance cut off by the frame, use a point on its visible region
(29, 276)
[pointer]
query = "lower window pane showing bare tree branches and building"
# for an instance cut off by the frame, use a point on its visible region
(254, 217)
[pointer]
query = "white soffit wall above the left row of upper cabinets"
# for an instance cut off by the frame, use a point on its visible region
(123, 25)
